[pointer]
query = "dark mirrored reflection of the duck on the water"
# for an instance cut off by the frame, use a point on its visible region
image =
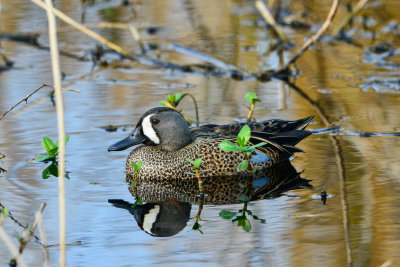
(168, 202)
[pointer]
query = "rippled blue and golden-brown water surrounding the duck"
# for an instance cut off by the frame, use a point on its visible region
(349, 84)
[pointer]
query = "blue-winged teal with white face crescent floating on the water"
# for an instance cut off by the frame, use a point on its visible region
(165, 141)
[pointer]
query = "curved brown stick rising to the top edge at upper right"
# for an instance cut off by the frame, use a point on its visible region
(315, 37)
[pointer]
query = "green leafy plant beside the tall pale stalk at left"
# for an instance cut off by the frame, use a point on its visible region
(51, 156)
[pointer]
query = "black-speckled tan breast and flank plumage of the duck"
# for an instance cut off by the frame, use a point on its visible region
(159, 164)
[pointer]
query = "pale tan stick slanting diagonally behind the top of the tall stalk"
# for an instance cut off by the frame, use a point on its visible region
(83, 29)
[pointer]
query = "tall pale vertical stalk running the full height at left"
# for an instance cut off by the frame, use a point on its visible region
(61, 126)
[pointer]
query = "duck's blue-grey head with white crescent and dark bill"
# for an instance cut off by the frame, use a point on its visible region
(163, 127)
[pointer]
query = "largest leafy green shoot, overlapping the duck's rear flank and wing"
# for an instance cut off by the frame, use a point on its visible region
(242, 139)
